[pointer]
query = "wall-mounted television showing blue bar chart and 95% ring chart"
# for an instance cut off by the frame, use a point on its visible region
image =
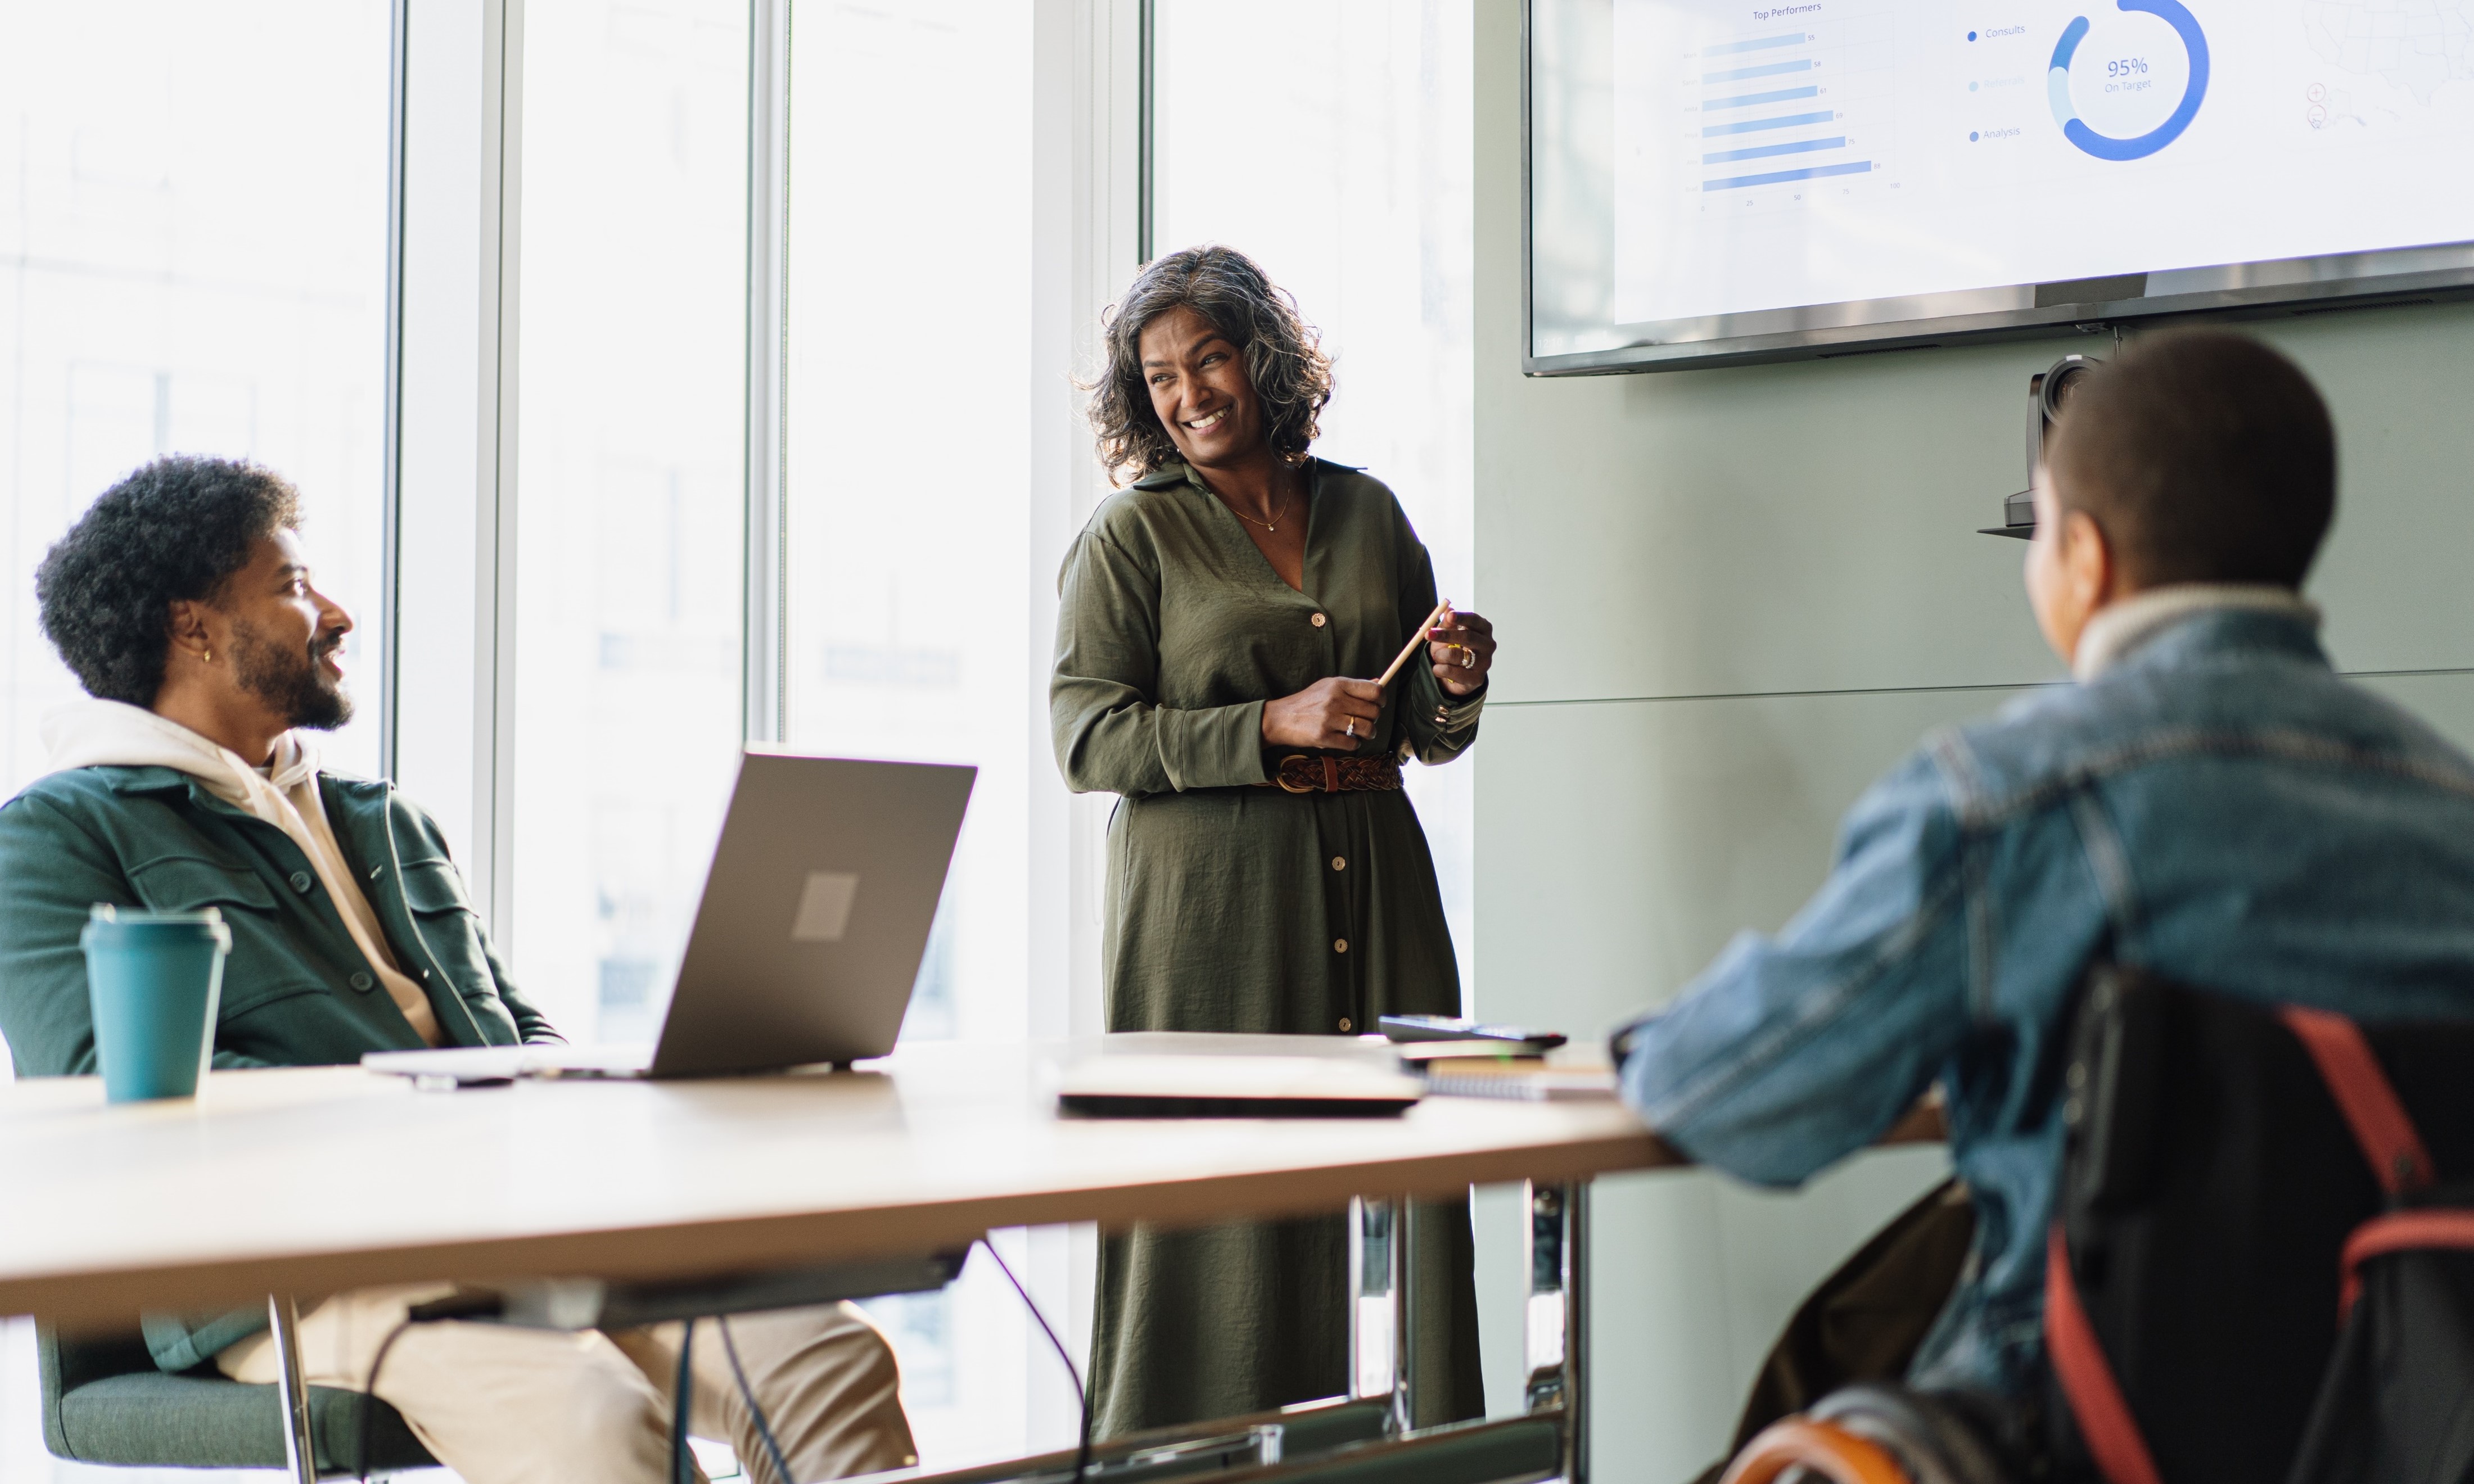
(1783, 179)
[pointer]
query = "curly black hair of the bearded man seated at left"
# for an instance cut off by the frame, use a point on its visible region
(172, 531)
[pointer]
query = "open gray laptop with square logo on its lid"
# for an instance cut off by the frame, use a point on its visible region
(805, 944)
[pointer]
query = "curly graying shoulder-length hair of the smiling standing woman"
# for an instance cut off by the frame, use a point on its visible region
(1283, 355)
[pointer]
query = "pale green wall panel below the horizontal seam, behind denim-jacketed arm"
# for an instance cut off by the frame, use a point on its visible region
(1619, 847)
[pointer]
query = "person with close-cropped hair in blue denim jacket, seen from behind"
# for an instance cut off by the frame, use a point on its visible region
(2208, 803)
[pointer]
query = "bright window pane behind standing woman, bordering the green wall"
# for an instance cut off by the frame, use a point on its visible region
(1355, 197)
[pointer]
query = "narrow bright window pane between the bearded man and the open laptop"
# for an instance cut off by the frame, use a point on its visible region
(630, 496)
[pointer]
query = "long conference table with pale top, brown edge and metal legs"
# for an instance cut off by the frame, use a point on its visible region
(310, 1181)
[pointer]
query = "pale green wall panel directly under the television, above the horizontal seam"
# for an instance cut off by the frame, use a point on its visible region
(1812, 526)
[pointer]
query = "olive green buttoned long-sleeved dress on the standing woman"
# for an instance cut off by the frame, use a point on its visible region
(1246, 909)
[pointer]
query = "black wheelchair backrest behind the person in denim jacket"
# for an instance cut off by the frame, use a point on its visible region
(2208, 1193)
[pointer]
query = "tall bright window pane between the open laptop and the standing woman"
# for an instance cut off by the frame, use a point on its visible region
(909, 568)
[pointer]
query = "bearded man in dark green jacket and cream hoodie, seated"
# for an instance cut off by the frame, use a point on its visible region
(184, 607)
